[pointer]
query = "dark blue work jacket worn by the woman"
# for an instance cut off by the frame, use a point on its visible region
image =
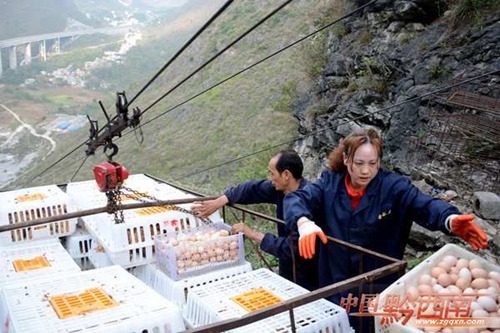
(381, 223)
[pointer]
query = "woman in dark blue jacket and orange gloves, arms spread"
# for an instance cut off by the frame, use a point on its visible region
(362, 204)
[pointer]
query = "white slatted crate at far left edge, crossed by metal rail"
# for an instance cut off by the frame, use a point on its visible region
(31, 204)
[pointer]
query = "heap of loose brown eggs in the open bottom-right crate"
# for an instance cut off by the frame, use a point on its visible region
(461, 276)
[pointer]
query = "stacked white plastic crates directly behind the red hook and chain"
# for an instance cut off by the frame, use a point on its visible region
(131, 243)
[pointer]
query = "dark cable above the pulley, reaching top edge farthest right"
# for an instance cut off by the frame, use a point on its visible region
(260, 61)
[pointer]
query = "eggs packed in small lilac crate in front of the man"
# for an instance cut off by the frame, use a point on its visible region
(200, 249)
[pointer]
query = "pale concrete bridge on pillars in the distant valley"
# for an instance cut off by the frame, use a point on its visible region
(43, 42)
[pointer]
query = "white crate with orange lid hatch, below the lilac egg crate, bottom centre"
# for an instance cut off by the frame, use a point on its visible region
(211, 303)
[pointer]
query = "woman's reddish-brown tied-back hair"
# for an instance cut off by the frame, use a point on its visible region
(348, 146)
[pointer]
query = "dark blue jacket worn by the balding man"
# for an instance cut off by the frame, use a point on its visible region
(262, 191)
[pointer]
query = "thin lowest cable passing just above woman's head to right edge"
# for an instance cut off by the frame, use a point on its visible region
(330, 127)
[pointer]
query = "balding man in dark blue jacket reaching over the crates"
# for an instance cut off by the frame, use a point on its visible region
(285, 176)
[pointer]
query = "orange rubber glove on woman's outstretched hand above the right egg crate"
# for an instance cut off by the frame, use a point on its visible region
(464, 227)
